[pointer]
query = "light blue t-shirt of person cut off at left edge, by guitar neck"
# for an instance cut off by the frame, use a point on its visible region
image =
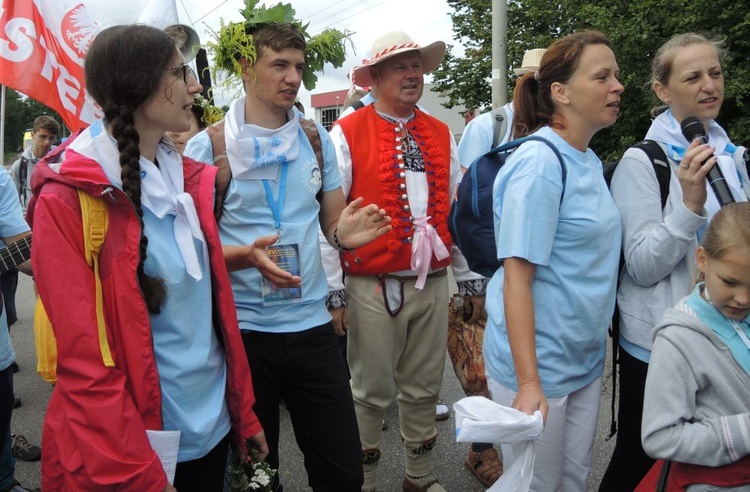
(11, 223)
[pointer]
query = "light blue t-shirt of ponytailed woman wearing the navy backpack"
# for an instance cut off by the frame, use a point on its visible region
(576, 248)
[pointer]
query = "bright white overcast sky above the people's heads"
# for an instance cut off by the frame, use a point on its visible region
(424, 20)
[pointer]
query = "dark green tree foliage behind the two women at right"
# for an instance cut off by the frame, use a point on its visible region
(636, 29)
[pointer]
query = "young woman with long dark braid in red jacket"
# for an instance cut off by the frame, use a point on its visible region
(177, 360)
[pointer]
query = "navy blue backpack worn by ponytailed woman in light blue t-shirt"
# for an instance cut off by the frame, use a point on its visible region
(471, 219)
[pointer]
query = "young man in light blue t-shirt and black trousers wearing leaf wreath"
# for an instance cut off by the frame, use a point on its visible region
(279, 196)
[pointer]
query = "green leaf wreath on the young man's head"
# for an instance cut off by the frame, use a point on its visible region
(233, 42)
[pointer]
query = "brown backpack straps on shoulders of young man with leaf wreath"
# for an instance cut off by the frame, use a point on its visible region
(221, 161)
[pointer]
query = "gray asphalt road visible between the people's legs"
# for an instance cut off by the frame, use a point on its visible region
(449, 455)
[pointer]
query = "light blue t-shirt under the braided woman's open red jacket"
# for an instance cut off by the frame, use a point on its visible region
(191, 363)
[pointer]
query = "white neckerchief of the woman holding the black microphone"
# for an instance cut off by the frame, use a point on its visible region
(665, 129)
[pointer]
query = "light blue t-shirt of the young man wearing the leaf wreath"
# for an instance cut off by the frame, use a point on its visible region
(247, 216)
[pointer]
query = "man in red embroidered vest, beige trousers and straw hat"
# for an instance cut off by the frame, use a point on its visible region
(394, 154)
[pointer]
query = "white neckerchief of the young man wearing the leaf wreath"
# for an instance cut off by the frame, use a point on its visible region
(254, 152)
